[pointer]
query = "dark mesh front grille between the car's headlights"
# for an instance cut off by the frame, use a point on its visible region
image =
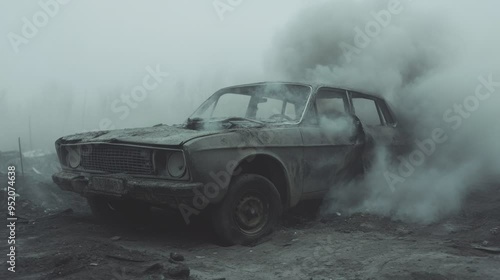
(117, 159)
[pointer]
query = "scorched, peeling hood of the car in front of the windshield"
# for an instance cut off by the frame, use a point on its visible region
(159, 135)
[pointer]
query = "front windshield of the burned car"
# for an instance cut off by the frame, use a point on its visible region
(264, 103)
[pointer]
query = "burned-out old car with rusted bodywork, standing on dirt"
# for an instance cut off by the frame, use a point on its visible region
(244, 156)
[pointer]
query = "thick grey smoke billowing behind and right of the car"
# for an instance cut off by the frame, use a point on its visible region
(438, 64)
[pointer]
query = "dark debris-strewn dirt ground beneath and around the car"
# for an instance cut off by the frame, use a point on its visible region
(57, 238)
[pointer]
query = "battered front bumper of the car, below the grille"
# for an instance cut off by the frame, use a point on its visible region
(154, 191)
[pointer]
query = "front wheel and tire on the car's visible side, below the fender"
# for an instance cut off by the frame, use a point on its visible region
(249, 211)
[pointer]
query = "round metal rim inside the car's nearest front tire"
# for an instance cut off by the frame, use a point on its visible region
(251, 212)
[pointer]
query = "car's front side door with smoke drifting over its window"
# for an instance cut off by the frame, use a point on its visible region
(328, 136)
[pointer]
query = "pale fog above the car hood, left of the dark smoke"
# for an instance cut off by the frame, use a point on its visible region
(70, 74)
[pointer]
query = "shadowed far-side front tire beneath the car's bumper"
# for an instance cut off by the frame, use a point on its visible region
(106, 210)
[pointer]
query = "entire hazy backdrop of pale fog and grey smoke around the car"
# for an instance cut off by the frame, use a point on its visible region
(430, 59)
